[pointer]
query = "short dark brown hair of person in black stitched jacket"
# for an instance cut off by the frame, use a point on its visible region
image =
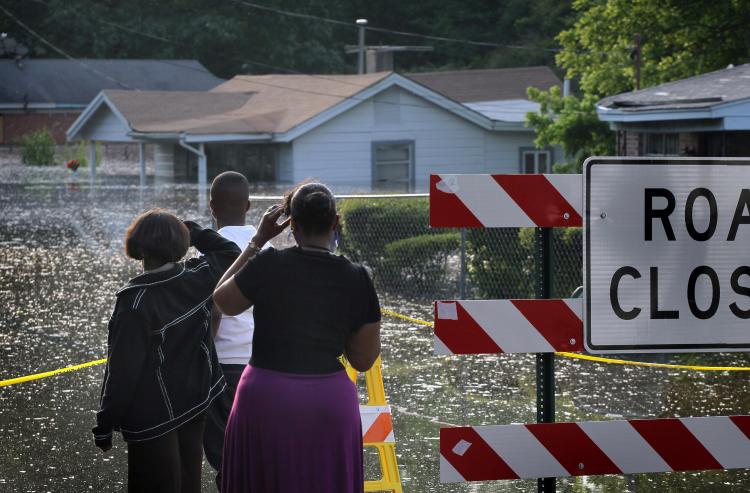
(157, 234)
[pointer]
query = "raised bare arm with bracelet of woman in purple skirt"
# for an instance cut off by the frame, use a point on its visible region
(227, 296)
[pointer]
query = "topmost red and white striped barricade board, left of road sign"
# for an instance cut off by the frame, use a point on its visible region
(506, 201)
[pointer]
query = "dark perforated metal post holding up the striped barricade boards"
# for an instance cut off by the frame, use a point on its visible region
(545, 362)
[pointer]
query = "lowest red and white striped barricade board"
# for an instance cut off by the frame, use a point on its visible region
(484, 453)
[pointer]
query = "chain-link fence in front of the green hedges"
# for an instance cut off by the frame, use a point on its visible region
(391, 235)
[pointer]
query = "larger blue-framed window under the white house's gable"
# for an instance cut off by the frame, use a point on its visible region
(393, 166)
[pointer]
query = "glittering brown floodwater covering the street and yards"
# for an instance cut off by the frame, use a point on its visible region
(61, 261)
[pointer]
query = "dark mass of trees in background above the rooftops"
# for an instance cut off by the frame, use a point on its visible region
(230, 37)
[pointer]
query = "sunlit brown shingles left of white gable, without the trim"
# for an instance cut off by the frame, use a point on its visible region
(244, 104)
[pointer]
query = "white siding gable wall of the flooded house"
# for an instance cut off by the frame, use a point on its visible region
(339, 151)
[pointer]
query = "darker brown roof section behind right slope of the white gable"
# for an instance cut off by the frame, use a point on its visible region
(488, 85)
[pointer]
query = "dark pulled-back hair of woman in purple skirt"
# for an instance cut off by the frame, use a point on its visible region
(312, 207)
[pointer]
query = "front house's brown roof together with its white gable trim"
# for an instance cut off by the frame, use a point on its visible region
(279, 107)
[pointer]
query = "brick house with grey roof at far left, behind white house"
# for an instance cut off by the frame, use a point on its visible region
(52, 93)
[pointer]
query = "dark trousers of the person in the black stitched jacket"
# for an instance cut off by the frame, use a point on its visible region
(168, 464)
